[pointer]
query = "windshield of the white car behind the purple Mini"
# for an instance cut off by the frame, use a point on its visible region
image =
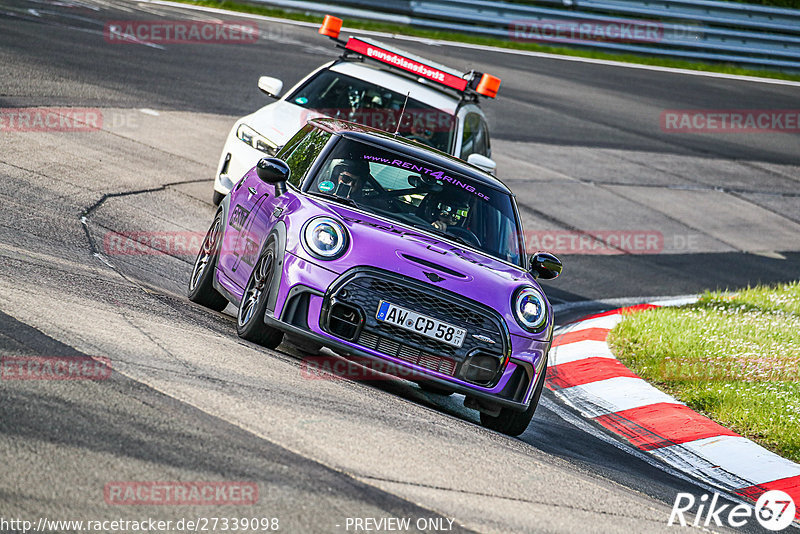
(344, 97)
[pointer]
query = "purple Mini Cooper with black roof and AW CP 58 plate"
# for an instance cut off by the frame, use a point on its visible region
(383, 249)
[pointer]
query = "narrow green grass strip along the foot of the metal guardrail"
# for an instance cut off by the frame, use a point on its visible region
(726, 68)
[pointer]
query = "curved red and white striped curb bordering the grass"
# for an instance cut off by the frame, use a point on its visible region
(584, 373)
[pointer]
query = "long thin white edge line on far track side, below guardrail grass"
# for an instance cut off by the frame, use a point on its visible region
(485, 48)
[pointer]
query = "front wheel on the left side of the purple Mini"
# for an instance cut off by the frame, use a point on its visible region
(250, 317)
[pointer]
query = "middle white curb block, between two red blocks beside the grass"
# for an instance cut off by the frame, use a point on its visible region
(614, 395)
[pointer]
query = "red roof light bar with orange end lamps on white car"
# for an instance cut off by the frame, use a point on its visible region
(469, 83)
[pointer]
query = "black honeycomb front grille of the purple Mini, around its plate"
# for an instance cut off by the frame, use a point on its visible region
(364, 289)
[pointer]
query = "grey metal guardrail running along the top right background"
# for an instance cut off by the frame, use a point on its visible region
(710, 30)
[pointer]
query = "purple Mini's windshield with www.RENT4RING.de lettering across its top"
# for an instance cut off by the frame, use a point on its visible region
(420, 194)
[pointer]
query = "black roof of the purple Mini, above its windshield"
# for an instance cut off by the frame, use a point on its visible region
(359, 132)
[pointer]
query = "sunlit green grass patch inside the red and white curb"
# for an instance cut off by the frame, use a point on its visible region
(734, 358)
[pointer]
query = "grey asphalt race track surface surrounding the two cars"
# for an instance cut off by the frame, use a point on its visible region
(581, 146)
